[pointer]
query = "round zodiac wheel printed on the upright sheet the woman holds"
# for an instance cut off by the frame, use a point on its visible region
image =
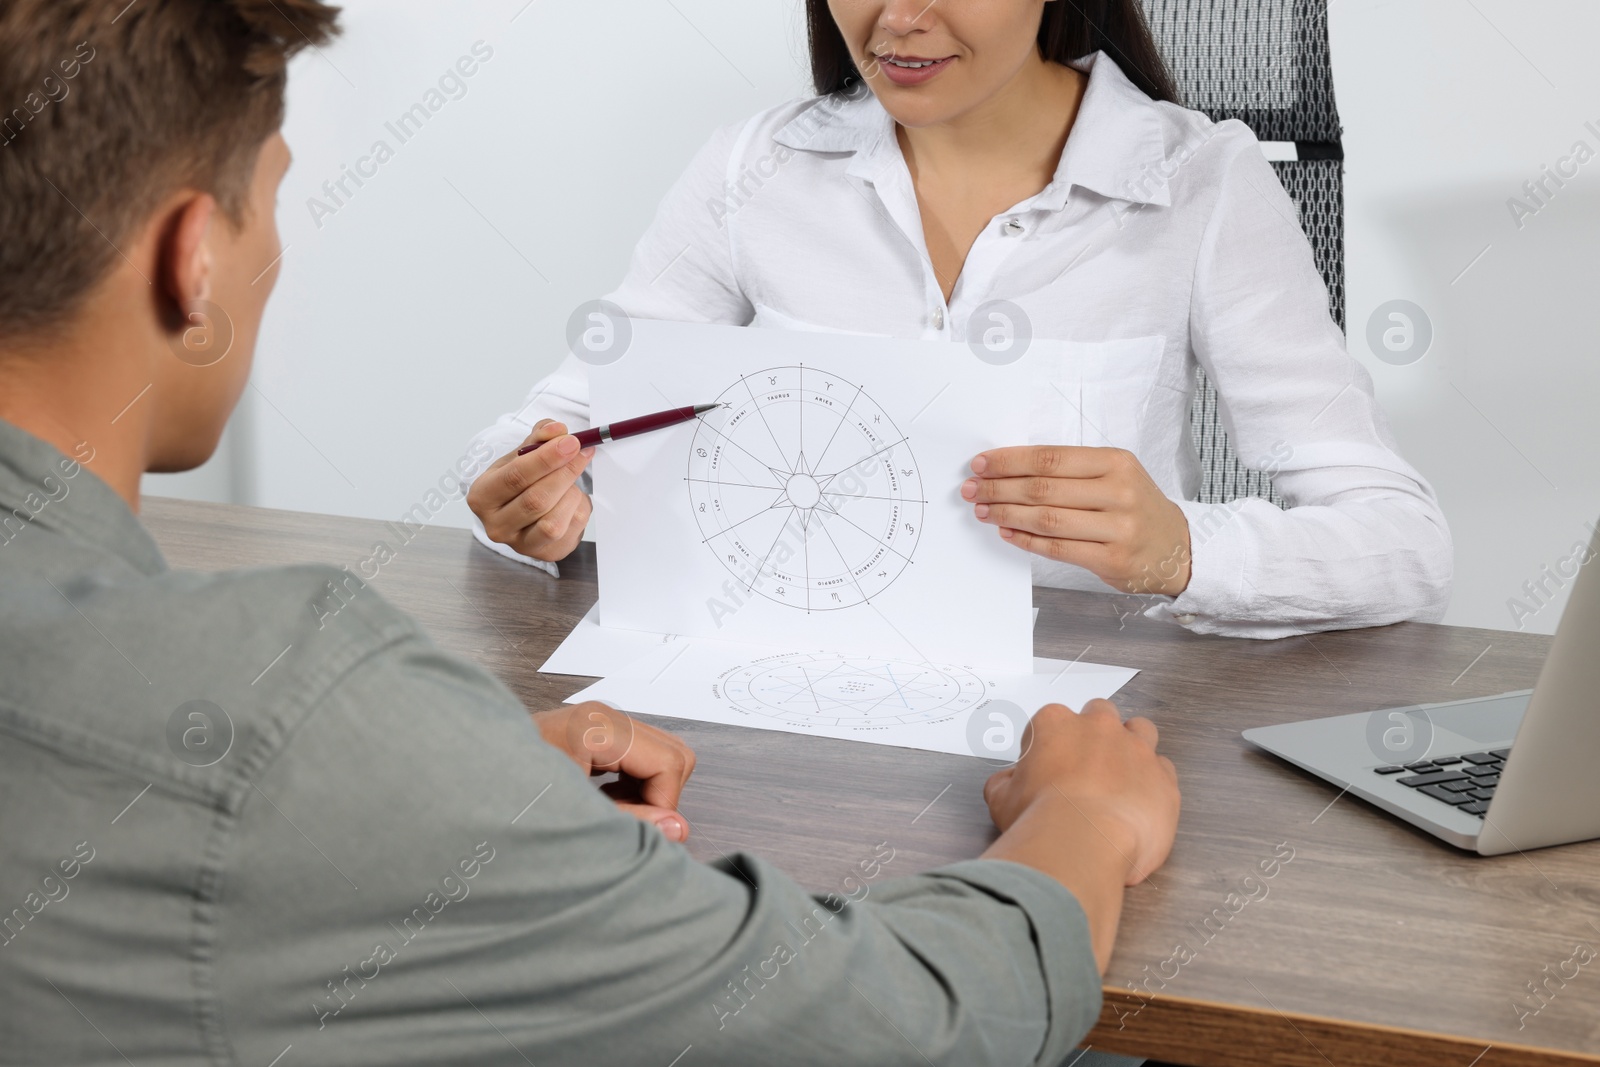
(806, 489)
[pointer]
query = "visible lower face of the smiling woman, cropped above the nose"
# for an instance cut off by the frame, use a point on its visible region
(932, 62)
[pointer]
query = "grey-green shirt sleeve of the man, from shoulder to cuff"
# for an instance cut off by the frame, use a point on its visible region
(418, 879)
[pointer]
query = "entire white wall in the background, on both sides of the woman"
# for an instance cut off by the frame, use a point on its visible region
(441, 290)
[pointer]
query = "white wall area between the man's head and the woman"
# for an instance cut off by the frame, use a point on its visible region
(436, 297)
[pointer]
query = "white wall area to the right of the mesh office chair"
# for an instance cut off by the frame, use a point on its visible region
(1447, 114)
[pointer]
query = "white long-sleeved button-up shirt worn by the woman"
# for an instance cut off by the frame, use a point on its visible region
(1164, 242)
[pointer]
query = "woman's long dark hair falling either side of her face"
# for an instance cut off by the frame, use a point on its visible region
(1070, 31)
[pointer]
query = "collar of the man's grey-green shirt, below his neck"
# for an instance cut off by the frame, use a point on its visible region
(47, 489)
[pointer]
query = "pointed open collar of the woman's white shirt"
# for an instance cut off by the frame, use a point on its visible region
(1116, 146)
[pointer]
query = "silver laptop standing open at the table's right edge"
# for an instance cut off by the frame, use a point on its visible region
(1494, 775)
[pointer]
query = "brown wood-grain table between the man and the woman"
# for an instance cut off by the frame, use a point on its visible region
(1374, 946)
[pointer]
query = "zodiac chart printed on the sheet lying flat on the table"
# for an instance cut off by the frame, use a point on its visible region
(838, 690)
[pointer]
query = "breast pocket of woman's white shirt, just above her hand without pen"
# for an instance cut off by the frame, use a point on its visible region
(1095, 394)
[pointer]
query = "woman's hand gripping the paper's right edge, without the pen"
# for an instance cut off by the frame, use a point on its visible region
(1095, 508)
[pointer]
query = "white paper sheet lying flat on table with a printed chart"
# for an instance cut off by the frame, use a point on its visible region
(834, 695)
